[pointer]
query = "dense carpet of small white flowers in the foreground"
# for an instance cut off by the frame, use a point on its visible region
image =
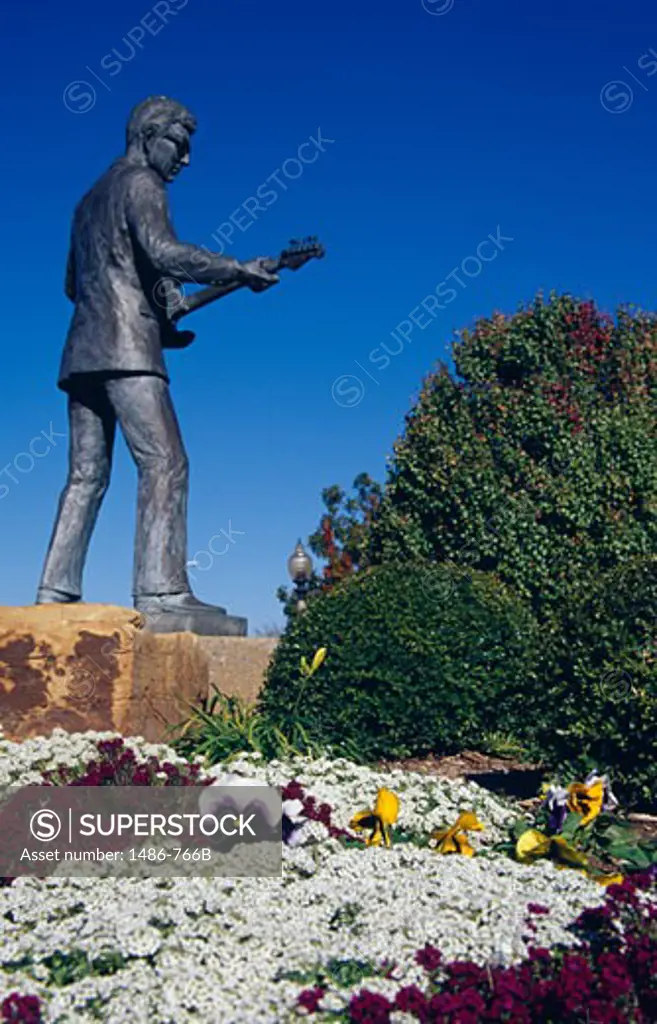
(176, 951)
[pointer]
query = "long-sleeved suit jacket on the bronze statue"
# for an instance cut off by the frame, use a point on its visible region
(122, 247)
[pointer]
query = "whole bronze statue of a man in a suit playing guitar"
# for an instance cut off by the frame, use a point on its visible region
(123, 250)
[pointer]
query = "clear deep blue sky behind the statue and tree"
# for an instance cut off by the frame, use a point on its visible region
(448, 123)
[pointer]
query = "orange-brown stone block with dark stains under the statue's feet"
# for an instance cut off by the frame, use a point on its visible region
(83, 667)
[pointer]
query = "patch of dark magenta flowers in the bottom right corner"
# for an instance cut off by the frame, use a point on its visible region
(610, 977)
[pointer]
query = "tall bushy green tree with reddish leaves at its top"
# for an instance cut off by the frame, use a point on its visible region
(540, 463)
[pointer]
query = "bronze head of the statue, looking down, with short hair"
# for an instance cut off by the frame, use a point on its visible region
(159, 132)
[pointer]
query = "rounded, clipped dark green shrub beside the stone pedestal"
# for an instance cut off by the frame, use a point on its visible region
(420, 661)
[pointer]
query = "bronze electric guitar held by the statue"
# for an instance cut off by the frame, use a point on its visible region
(179, 305)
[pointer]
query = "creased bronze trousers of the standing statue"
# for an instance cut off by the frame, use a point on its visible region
(142, 405)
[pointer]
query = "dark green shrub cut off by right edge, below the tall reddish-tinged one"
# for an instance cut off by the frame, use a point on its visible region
(603, 666)
